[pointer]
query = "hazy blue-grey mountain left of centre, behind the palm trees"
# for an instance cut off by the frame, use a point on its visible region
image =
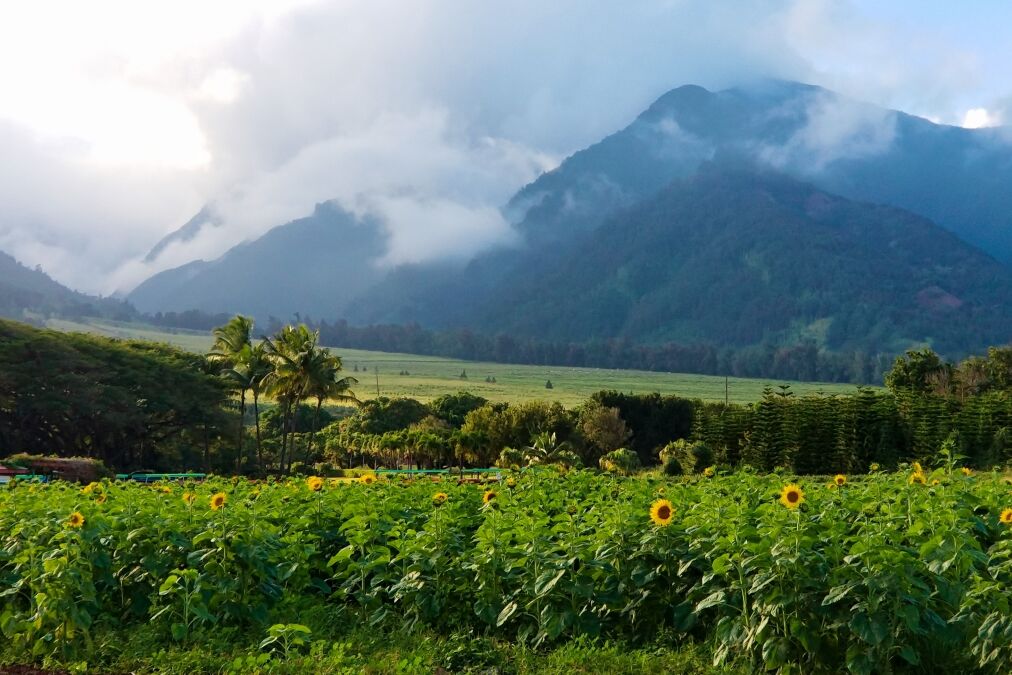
(313, 267)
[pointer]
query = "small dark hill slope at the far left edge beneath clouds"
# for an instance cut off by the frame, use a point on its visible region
(29, 295)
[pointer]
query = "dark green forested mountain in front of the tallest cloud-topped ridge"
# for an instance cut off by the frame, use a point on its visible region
(742, 257)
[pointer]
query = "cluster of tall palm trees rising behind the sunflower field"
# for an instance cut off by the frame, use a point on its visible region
(290, 367)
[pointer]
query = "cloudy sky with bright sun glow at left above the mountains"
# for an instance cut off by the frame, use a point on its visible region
(121, 120)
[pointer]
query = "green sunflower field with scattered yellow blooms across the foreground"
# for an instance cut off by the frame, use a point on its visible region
(890, 572)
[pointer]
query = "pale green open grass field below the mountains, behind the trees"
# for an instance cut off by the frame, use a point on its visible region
(432, 377)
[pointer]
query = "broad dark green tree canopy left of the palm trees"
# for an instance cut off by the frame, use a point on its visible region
(130, 404)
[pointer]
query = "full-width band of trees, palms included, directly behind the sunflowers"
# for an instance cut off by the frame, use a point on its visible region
(259, 406)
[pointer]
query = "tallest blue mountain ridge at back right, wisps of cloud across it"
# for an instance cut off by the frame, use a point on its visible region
(957, 178)
